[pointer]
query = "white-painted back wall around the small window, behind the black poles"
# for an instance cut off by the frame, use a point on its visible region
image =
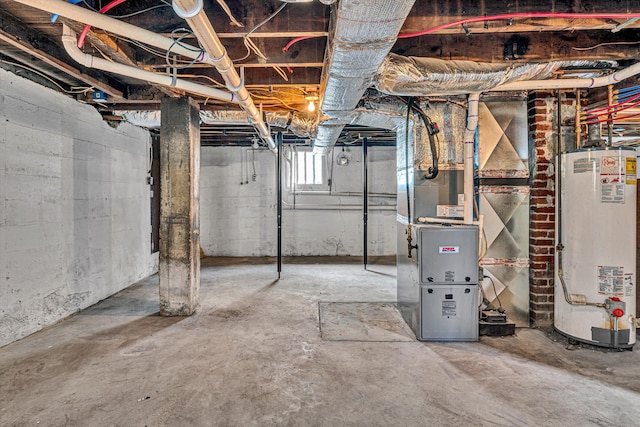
(240, 219)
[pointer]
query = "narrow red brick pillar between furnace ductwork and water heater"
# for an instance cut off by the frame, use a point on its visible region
(542, 137)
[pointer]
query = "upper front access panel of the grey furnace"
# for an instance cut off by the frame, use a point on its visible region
(448, 255)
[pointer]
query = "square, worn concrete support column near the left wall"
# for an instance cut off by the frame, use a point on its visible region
(180, 207)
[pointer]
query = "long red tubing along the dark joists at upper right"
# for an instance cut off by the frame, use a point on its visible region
(510, 16)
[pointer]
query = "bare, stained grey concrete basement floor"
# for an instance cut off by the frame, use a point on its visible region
(254, 356)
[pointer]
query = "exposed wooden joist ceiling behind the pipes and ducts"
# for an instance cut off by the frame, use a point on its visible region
(286, 66)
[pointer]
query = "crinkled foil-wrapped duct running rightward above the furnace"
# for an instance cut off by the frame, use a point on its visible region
(411, 76)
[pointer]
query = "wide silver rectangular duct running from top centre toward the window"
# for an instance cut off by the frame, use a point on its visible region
(363, 34)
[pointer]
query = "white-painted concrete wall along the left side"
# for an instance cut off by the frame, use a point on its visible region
(74, 207)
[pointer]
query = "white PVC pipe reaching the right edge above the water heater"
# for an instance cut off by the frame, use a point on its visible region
(614, 78)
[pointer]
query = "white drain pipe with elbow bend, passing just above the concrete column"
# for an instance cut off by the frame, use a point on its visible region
(70, 44)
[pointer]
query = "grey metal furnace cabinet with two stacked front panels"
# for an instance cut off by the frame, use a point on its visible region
(438, 292)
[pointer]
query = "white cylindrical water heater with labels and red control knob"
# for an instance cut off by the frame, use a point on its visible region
(595, 261)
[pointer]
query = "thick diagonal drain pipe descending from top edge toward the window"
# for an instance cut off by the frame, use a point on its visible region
(193, 12)
